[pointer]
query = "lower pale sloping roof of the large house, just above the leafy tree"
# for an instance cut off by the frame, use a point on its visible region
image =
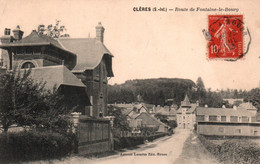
(55, 76)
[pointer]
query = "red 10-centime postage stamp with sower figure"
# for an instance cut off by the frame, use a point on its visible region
(226, 36)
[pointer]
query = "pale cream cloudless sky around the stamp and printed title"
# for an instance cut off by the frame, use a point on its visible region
(149, 44)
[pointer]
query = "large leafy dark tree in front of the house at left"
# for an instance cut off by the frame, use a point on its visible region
(25, 102)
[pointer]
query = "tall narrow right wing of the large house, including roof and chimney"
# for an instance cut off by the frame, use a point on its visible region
(94, 67)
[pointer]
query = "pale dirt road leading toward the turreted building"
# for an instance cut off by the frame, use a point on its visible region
(179, 148)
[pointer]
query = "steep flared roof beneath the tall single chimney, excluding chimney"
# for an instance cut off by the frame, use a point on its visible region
(90, 52)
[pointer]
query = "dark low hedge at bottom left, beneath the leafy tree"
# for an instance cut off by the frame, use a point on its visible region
(32, 145)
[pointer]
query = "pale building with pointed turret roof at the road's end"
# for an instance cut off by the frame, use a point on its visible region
(186, 118)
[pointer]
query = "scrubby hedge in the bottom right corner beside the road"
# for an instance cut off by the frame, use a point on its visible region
(234, 150)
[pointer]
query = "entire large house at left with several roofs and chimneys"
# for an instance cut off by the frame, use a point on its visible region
(79, 62)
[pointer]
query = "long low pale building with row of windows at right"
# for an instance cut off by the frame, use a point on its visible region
(226, 122)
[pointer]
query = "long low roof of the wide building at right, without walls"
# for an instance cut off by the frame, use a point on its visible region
(224, 112)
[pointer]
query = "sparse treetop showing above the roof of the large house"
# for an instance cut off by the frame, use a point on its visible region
(54, 31)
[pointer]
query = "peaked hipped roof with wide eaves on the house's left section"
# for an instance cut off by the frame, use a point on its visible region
(35, 39)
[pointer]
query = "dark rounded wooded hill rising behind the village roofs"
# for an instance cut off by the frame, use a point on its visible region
(153, 91)
